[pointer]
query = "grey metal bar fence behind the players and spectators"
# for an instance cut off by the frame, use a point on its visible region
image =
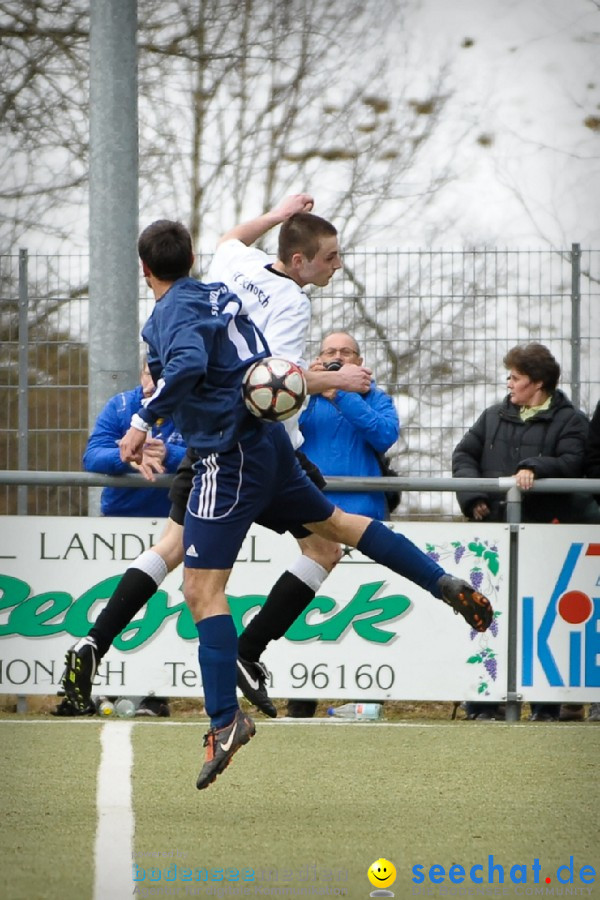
(433, 325)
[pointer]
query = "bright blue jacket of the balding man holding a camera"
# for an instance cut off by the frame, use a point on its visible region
(344, 435)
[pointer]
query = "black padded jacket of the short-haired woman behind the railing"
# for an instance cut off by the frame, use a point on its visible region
(551, 443)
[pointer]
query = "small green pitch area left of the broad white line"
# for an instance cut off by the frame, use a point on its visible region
(48, 820)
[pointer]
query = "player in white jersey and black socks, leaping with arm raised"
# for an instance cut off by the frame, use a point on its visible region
(273, 295)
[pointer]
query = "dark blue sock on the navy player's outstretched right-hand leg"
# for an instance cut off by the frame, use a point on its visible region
(400, 555)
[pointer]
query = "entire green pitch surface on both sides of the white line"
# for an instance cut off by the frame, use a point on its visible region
(305, 804)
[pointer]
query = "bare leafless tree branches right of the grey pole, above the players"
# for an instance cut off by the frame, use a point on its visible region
(257, 98)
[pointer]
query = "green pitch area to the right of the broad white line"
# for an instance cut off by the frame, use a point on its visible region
(341, 796)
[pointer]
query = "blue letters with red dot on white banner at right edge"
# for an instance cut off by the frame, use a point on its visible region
(561, 635)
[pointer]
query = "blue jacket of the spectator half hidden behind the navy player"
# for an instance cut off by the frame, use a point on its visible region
(102, 455)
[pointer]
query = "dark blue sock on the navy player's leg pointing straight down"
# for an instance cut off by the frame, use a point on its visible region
(217, 656)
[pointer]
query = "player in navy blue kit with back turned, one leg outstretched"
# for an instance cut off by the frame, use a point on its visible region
(245, 471)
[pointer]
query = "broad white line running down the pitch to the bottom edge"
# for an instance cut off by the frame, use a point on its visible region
(114, 836)
